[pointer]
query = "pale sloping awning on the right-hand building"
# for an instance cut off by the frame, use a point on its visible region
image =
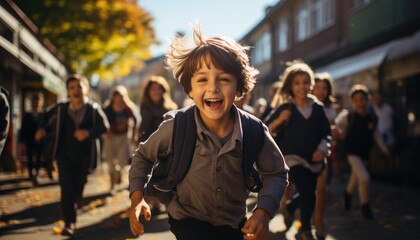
(359, 62)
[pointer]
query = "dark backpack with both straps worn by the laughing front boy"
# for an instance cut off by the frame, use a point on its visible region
(170, 171)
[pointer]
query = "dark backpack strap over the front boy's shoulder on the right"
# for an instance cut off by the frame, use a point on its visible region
(253, 140)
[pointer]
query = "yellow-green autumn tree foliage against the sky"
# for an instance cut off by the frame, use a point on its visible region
(105, 37)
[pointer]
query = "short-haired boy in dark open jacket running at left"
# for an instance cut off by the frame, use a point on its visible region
(77, 125)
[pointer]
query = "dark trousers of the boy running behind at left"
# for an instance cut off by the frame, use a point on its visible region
(72, 178)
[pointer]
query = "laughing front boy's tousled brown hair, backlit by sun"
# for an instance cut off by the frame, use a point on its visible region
(223, 52)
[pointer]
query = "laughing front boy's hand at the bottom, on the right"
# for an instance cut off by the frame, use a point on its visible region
(257, 225)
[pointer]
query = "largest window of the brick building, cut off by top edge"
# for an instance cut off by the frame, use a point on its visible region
(312, 17)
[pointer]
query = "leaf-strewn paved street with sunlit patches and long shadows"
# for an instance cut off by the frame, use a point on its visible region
(28, 212)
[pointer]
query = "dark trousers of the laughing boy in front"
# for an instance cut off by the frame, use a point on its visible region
(192, 229)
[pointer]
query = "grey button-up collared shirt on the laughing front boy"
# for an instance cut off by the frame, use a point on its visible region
(213, 189)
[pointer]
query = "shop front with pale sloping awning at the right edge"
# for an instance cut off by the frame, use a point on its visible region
(392, 69)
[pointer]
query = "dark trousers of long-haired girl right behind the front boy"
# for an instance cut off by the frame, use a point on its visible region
(305, 182)
